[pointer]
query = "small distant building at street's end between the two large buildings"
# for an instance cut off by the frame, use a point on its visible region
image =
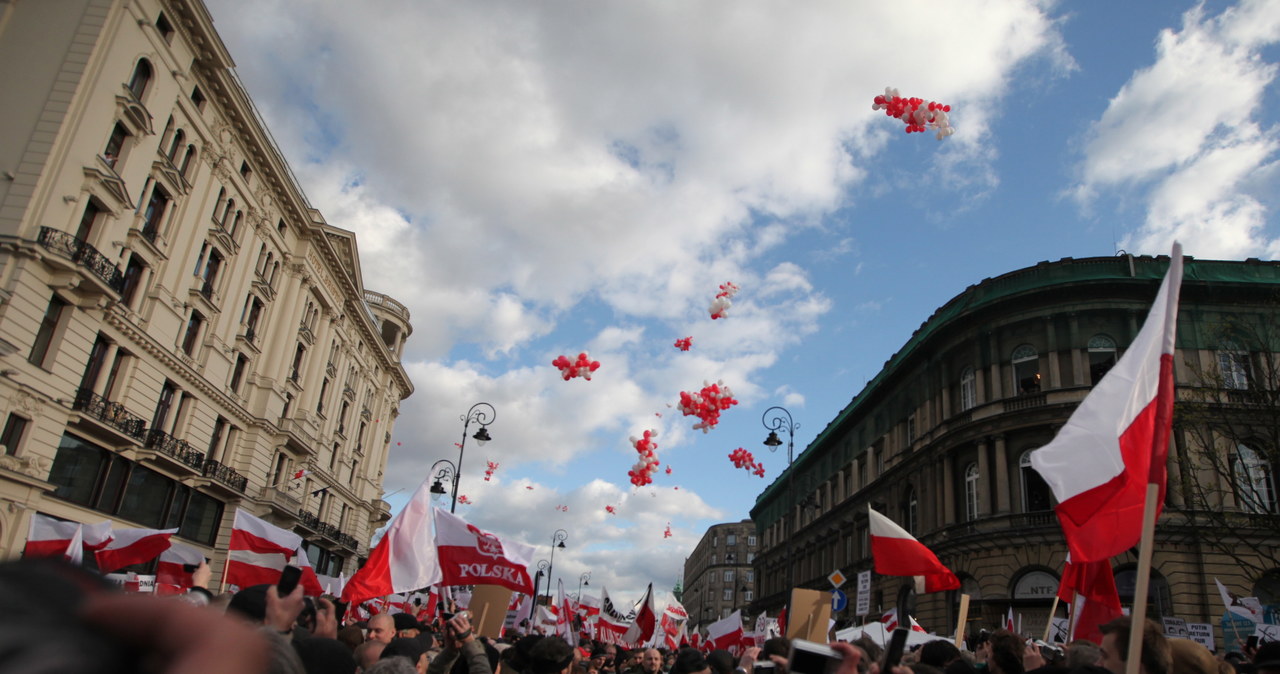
(719, 575)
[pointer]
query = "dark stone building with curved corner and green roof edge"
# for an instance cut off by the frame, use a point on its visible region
(940, 442)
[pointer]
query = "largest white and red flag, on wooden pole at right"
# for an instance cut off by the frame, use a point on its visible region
(1117, 442)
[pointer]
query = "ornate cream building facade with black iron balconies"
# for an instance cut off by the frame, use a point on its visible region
(182, 332)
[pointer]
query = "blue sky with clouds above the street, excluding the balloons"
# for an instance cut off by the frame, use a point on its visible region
(537, 180)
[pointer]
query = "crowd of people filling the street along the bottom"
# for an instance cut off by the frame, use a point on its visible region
(62, 618)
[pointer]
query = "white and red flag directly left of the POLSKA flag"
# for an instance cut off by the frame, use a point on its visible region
(404, 560)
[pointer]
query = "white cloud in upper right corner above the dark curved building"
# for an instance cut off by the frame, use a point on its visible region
(1185, 135)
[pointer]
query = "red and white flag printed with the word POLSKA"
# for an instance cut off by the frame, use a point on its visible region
(473, 557)
